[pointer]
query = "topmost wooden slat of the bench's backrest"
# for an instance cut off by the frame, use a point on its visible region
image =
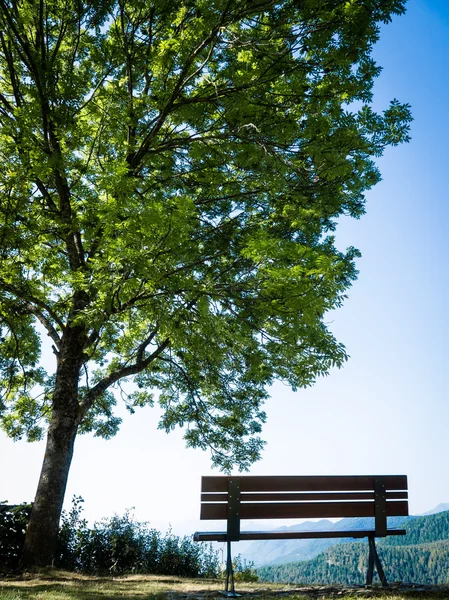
(337, 483)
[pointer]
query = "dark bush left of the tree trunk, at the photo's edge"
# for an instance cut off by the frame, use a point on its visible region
(13, 524)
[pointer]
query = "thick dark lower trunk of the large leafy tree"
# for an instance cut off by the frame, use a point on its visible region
(42, 532)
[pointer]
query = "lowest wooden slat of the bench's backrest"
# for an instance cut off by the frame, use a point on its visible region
(303, 510)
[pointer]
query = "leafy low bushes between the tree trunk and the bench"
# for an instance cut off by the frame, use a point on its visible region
(123, 545)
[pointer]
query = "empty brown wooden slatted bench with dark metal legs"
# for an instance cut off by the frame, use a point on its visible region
(250, 497)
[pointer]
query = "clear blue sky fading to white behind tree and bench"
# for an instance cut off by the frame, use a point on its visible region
(387, 410)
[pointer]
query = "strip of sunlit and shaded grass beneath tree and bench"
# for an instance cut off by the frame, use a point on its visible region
(60, 585)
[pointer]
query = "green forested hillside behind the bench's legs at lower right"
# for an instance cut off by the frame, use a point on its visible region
(420, 556)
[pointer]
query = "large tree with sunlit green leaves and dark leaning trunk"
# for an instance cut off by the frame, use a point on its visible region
(171, 175)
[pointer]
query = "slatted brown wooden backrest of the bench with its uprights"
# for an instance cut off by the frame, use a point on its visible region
(303, 497)
